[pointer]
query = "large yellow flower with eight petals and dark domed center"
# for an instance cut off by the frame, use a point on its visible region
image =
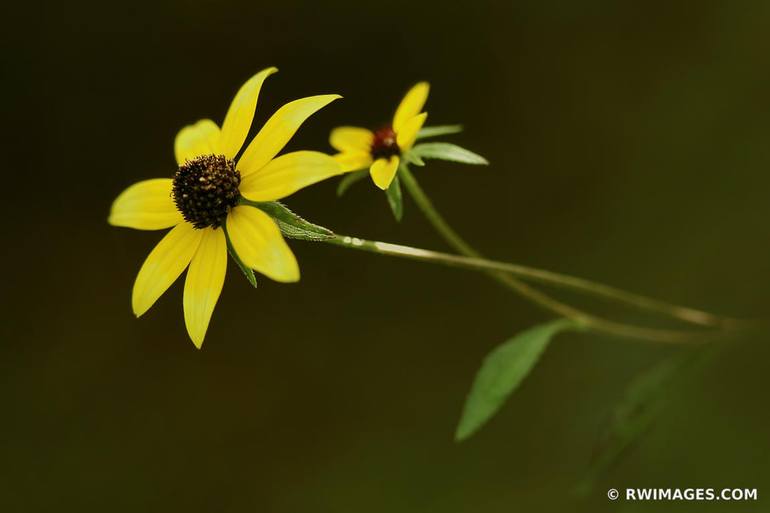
(203, 196)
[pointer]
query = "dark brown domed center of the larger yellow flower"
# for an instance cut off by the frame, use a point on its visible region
(205, 189)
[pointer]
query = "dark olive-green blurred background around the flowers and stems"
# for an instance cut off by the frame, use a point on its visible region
(628, 142)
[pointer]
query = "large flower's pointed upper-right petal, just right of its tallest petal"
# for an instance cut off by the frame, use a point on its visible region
(278, 130)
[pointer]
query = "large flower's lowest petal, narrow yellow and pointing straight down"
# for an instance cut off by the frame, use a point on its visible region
(204, 282)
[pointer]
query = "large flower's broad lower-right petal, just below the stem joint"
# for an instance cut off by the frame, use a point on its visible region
(260, 245)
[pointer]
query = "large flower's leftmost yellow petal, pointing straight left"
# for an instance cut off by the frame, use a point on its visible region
(146, 205)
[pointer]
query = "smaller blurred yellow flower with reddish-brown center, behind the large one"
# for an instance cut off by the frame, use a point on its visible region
(381, 150)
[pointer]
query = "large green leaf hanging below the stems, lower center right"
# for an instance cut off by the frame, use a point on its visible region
(503, 371)
